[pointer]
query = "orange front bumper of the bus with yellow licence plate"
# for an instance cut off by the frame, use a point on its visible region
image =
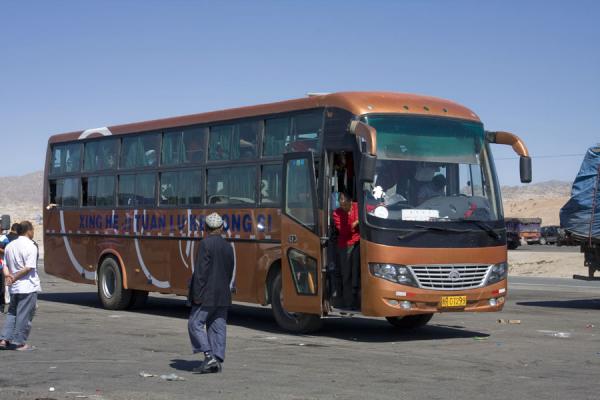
(393, 300)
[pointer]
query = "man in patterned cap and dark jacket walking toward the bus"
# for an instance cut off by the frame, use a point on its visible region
(210, 296)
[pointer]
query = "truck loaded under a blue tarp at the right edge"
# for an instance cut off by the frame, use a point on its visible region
(580, 216)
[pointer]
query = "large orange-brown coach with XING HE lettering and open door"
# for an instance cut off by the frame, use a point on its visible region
(125, 205)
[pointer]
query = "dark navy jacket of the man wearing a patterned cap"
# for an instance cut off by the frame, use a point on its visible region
(213, 273)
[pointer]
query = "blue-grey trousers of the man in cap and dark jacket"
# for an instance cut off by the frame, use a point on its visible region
(207, 327)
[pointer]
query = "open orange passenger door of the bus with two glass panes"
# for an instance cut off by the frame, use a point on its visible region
(302, 276)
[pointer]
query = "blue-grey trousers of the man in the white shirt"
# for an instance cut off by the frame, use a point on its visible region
(17, 324)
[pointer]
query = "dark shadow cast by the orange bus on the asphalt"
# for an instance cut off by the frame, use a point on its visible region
(358, 329)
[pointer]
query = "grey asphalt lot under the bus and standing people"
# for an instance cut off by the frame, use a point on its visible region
(87, 351)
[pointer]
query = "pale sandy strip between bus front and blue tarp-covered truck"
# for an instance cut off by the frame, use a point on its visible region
(546, 263)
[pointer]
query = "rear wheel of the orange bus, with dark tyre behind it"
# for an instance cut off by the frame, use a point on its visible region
(110, 286)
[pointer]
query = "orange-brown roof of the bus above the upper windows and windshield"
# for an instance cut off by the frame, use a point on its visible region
(357, 103)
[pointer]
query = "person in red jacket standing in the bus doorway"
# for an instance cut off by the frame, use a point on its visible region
(345, 218)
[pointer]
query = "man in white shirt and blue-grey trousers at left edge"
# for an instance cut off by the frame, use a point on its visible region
(23, 284)
